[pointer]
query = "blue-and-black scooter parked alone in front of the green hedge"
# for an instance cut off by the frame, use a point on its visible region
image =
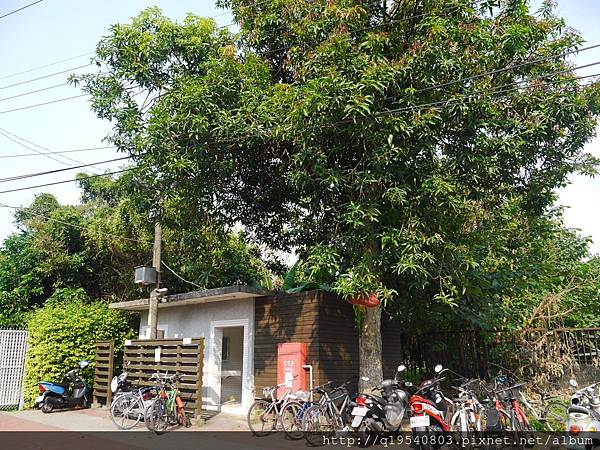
(64, 395)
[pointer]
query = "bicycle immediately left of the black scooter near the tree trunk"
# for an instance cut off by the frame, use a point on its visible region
(325, 418)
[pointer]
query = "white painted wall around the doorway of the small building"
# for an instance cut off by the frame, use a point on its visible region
(201, 320)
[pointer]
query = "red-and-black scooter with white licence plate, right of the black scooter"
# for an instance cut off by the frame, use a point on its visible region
(430, 412)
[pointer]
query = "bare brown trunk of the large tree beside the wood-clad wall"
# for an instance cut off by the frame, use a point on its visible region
(369, 343)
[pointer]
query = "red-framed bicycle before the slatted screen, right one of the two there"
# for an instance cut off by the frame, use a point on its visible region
(167, 407)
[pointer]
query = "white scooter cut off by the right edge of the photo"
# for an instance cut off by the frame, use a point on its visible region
(583, 417)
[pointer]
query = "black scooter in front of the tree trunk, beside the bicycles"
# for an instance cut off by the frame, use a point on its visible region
(373, 414)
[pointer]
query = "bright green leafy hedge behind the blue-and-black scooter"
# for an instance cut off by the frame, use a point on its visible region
(64, 332)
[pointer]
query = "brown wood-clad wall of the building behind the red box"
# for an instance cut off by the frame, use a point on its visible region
(326, 324)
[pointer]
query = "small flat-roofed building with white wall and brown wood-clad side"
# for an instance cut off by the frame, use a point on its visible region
(242, 327)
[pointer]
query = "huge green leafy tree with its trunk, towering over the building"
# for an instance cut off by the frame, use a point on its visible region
(386, 136)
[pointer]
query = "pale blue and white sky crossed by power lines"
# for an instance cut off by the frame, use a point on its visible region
(57, 29)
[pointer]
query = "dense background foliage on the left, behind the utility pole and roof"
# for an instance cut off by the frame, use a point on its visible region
(95, 245)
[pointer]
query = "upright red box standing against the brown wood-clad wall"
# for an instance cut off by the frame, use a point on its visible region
(290, 359)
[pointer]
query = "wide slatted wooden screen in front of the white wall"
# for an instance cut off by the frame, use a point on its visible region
(174, 356)
